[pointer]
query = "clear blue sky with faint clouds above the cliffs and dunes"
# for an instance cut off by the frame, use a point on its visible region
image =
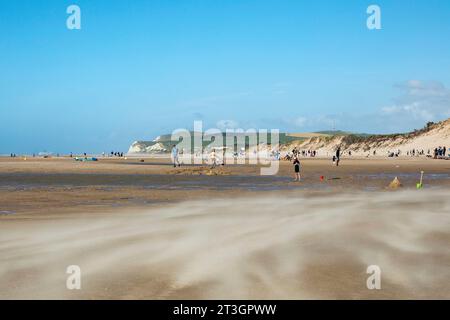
(140, 68)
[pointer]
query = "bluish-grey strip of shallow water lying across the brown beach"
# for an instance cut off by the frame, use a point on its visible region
(377, 181)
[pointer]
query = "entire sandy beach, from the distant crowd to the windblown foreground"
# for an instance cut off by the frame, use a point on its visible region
(146, 230)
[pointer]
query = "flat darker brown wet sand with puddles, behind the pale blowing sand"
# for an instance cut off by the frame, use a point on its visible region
(50, 186)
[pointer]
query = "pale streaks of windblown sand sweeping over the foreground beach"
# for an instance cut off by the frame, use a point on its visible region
(273, 247)
